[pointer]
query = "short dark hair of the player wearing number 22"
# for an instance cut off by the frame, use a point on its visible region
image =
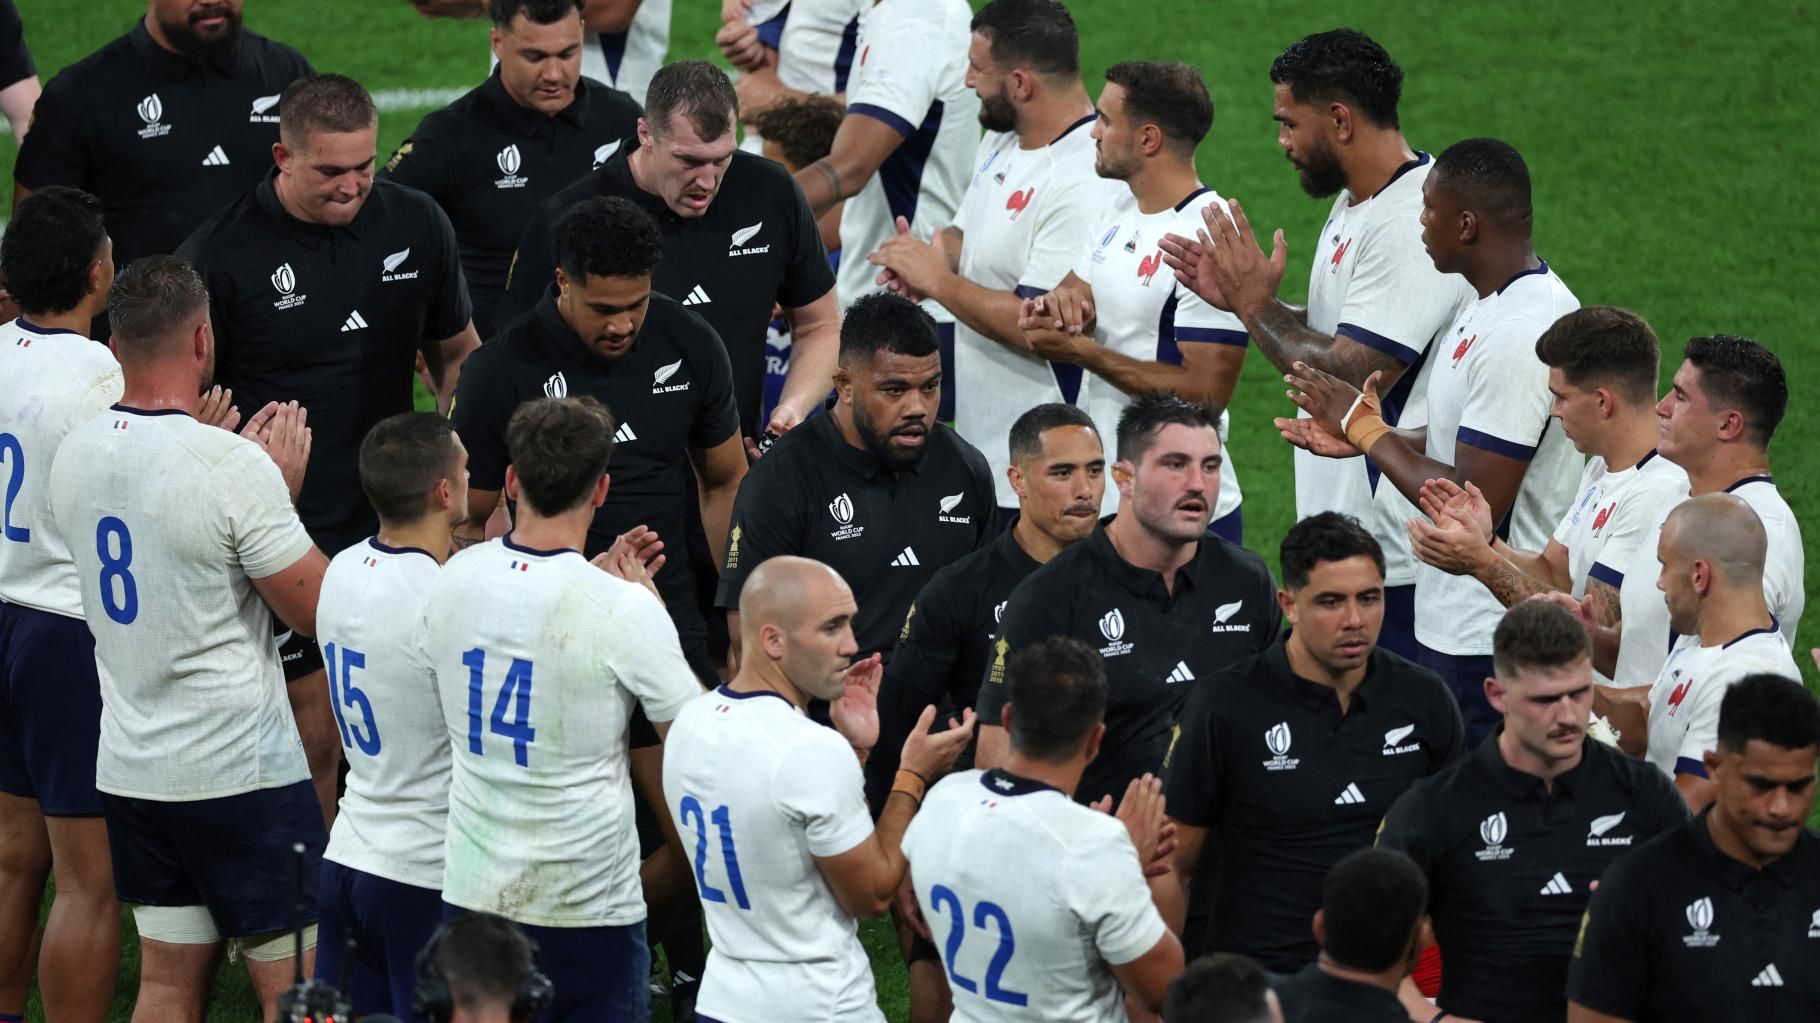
(1058, 693)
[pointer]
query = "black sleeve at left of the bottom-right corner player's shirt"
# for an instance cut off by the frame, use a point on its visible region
(1610, 971)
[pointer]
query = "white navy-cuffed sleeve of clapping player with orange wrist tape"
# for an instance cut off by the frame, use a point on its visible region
(1508, 394)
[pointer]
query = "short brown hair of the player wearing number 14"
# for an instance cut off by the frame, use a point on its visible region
(560, 451)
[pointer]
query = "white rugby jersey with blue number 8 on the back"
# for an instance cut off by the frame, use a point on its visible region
(170, 522)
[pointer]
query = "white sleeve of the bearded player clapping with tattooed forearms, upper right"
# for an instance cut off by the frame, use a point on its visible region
(1397, 301)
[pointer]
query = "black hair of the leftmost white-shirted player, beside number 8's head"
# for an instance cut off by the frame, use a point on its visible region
(48, 248)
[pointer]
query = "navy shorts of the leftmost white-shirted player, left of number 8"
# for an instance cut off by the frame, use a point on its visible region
(50, 711)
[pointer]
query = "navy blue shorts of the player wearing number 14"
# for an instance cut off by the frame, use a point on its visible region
(598, 973)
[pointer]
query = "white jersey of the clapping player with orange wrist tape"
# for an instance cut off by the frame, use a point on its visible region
(1490, 390)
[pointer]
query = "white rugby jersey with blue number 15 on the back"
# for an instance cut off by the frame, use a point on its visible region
(370, 625)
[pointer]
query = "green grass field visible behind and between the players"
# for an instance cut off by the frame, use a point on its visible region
(1663, 139)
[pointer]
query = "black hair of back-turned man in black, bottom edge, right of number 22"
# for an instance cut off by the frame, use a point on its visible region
(1373, 904)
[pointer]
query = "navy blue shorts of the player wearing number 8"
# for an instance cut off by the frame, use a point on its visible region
(230, 855)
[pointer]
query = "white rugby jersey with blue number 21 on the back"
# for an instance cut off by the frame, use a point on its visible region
(760, 791)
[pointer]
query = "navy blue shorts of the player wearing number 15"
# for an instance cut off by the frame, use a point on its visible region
(389, 922)
